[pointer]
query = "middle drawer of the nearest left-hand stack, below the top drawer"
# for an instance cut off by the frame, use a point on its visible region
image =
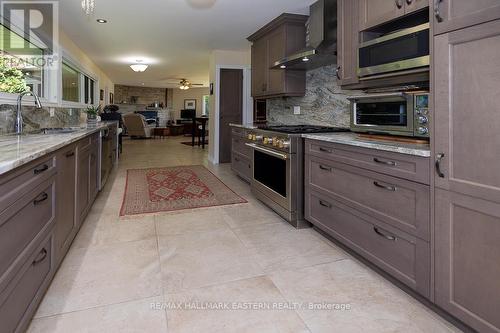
(22, 224)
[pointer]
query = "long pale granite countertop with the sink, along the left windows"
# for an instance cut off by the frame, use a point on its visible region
(17, 150)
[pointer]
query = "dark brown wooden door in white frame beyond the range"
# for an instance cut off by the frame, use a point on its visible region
(231, 109)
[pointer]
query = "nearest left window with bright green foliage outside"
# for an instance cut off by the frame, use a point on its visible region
(20, 72)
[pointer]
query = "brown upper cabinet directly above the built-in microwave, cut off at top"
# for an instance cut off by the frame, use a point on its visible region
(376, 12)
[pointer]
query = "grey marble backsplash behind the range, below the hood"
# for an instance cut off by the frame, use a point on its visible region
(324, 103)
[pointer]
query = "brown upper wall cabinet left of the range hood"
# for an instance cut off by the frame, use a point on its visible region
(282, 37)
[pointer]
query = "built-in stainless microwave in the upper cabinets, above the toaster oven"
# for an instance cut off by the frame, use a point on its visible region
(406, 49)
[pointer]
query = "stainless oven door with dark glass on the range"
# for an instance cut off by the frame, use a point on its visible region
(272, 175)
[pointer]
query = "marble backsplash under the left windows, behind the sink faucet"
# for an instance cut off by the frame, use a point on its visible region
(34, 118)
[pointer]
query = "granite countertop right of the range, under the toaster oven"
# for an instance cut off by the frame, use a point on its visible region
(353, 139)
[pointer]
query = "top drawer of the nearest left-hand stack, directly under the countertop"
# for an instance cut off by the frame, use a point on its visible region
(19, 182)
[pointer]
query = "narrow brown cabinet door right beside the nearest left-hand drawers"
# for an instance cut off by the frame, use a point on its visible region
(66, 201)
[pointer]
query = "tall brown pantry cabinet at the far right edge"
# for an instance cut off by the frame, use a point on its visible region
(467, 181)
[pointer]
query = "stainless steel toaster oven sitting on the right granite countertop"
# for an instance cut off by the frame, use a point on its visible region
(401, 113)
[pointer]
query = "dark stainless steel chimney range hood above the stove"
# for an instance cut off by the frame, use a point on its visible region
(321, 39)
